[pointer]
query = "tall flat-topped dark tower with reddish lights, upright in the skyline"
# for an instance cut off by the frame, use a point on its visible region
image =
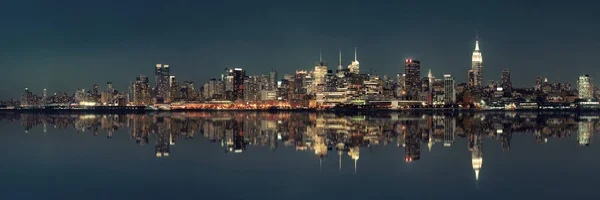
(412, 81)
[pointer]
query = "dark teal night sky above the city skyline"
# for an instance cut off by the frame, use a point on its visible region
(63, 45)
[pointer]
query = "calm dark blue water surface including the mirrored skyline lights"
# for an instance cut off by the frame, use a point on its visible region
(262, 155)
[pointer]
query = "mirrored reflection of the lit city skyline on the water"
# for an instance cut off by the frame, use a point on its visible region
(323, 132)
